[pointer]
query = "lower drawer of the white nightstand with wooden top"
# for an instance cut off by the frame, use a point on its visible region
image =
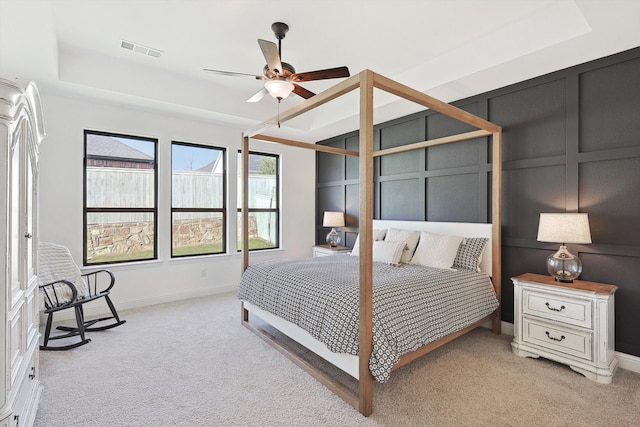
(573, 342)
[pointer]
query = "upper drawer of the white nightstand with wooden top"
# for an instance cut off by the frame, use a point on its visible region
(558, 307)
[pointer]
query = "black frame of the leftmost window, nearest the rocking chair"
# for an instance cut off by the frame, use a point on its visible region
(88, 210)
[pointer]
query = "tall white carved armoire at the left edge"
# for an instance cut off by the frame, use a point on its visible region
(21, 132)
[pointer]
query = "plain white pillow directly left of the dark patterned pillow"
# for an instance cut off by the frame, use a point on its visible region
(436, 250)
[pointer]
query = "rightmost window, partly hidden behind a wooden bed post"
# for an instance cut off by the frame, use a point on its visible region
(264, 201)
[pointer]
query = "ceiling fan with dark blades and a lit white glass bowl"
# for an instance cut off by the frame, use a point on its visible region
(280, 77)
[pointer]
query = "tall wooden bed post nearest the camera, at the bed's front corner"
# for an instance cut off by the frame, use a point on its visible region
(365, 383)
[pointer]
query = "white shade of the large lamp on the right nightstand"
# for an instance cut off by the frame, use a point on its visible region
(564, 228)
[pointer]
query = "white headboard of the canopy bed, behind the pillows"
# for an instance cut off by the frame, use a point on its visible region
(466, 229)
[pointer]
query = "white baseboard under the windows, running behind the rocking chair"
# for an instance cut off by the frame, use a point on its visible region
(99, 308)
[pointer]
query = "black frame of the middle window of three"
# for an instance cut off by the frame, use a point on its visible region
(223, 209)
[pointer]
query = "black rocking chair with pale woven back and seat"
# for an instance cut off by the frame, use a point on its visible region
(64, 287)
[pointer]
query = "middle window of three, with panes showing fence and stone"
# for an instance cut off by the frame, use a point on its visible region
(198, 207)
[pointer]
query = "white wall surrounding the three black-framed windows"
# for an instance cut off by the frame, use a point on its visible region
(146, 283)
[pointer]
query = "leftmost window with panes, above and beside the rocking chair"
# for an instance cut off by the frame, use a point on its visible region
(120, 198)
